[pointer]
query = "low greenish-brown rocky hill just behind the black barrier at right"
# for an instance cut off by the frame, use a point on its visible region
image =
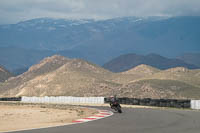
(159, 88)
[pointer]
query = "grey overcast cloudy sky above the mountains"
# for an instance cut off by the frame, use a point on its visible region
(12, 11)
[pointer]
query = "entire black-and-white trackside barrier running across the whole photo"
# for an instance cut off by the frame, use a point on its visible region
(193, 104)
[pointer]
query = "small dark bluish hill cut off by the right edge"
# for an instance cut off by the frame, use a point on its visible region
(191, 58)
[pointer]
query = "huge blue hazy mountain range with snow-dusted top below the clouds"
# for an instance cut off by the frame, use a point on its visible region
(27, 42)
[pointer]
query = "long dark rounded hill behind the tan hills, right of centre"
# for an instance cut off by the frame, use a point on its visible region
(128, 61)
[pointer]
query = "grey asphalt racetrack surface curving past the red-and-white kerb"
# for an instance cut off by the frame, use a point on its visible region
(135, 121)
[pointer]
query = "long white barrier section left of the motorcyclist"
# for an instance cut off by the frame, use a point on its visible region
(63, 99)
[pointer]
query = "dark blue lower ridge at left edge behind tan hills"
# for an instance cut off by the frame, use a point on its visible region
(18, 60)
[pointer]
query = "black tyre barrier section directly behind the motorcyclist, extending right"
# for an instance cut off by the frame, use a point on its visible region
(154, 102)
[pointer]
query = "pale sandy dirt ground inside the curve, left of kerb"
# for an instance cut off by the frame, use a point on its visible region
(18, 116)
